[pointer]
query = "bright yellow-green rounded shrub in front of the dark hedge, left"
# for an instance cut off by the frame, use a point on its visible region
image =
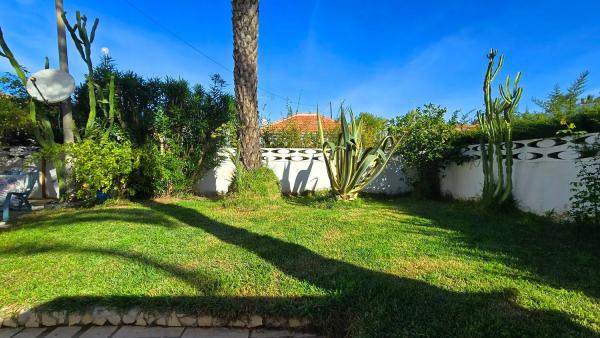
(101, 165)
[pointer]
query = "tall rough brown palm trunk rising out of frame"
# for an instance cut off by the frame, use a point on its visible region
(245, 74)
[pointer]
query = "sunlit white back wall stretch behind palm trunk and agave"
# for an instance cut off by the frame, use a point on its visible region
(300, 170)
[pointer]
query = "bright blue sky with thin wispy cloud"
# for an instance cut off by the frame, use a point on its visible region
(385, 57)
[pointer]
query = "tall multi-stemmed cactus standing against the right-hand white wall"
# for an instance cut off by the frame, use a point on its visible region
(496, 126)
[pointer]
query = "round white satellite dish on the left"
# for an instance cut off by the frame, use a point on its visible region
(50, 85)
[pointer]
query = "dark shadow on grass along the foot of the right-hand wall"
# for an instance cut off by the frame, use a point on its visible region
(559, 255)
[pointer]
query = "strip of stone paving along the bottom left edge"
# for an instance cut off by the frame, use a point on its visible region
(146, 332)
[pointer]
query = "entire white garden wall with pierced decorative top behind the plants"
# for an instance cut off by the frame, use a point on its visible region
(542, 174)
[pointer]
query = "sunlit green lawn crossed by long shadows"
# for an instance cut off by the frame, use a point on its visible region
(376, 267)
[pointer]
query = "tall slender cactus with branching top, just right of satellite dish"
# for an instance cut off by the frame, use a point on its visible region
(83, 43)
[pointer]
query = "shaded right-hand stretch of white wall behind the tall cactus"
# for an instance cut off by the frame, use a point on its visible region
(543, 170)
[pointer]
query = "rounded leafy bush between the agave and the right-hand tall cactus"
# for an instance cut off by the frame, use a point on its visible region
(428, 141)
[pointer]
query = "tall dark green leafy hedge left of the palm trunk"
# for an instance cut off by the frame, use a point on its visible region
(173, 124)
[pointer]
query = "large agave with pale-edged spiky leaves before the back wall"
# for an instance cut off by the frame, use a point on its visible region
(350, 166)
